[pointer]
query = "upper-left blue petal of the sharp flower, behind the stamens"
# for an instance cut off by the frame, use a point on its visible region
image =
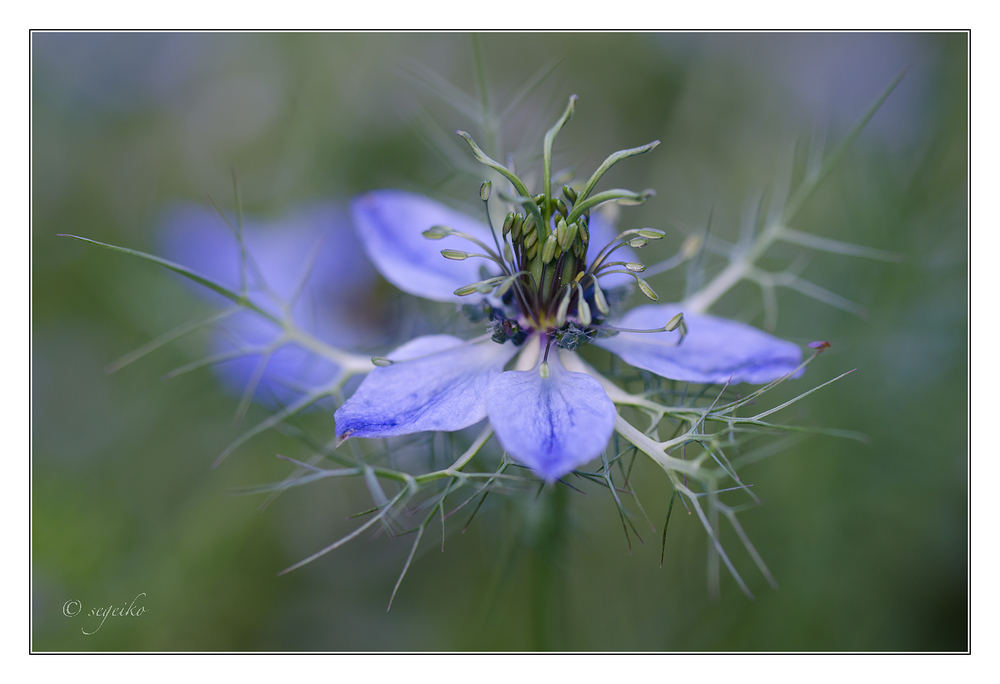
(391, 223)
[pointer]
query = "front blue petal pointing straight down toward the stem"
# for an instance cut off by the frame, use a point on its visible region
(552, 425)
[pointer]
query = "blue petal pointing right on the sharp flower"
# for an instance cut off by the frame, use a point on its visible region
(715, 350)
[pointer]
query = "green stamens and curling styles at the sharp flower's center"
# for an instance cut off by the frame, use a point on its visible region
(545, 283)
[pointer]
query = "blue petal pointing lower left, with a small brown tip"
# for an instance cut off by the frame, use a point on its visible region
(441, 387)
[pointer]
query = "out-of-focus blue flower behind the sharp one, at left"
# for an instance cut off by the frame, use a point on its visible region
(307, 265)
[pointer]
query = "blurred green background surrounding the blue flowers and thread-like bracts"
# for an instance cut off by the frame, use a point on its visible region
(868, 543)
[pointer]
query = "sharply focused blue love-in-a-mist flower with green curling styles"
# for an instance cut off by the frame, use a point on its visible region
(545, 290)
